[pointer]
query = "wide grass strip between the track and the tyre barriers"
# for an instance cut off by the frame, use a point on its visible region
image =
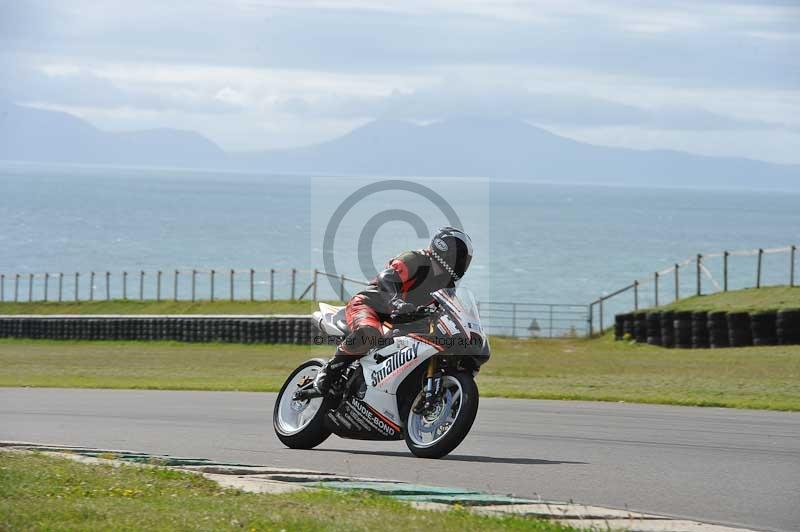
(599, 369)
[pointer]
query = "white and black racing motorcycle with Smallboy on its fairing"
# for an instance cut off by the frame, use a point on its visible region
(418, 385)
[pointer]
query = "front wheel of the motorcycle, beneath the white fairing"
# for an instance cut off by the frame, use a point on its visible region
(435, 432)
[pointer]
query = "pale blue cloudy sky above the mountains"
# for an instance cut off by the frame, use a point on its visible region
(707, 77)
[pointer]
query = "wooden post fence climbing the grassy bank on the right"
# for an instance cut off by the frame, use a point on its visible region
(702, 274)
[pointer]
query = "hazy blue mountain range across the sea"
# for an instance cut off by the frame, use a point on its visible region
(462, 146)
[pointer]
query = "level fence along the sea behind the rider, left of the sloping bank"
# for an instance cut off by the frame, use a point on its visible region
(514, 319)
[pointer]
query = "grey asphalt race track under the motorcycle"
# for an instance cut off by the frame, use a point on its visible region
(726, 466)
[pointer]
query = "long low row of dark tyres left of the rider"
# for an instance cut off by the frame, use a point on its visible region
(299, 330)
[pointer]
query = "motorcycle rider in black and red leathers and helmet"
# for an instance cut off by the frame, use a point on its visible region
(404, 285)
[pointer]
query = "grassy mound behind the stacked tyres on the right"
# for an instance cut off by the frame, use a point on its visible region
(748, 300)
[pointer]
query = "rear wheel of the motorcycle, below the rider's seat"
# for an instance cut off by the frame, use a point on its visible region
(300, 424)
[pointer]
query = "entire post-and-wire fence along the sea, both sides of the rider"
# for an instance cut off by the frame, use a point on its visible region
(701, 274)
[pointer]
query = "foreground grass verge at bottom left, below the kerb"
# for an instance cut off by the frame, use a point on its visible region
(39, 492)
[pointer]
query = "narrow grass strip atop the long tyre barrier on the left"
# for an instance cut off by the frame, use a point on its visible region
(118, 306)
